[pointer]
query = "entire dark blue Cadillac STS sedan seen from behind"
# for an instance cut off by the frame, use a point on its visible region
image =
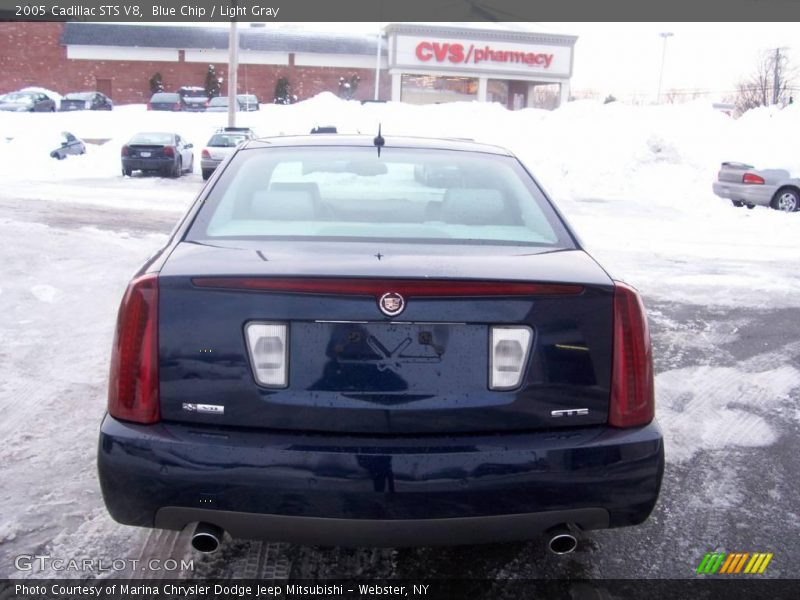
(378, 342)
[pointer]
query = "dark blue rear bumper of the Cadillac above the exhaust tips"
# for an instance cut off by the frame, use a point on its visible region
(378, 491)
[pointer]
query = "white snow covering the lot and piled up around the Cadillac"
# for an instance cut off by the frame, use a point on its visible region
(634, 181)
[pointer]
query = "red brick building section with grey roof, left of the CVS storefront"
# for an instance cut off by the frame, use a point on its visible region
(119, 60)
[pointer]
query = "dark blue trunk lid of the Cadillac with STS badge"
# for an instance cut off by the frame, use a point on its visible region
(352, 369)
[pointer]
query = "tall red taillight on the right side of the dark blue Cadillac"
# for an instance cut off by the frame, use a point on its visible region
(632, 390)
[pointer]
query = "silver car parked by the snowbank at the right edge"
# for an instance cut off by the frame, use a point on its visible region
(744, 185)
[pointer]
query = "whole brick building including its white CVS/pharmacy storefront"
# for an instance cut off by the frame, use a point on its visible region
(420, 63)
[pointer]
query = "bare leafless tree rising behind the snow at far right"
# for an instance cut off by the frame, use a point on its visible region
(768, 84)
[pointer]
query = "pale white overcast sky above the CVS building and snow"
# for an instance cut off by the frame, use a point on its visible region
(624, 59)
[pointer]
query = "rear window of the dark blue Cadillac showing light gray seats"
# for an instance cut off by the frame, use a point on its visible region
(349, 193)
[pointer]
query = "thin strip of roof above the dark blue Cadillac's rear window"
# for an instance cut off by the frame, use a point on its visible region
(337, 139)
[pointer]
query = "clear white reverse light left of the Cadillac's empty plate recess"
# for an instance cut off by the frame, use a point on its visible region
(269, 353)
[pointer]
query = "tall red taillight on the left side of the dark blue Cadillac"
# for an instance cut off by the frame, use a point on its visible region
(133, 380)
